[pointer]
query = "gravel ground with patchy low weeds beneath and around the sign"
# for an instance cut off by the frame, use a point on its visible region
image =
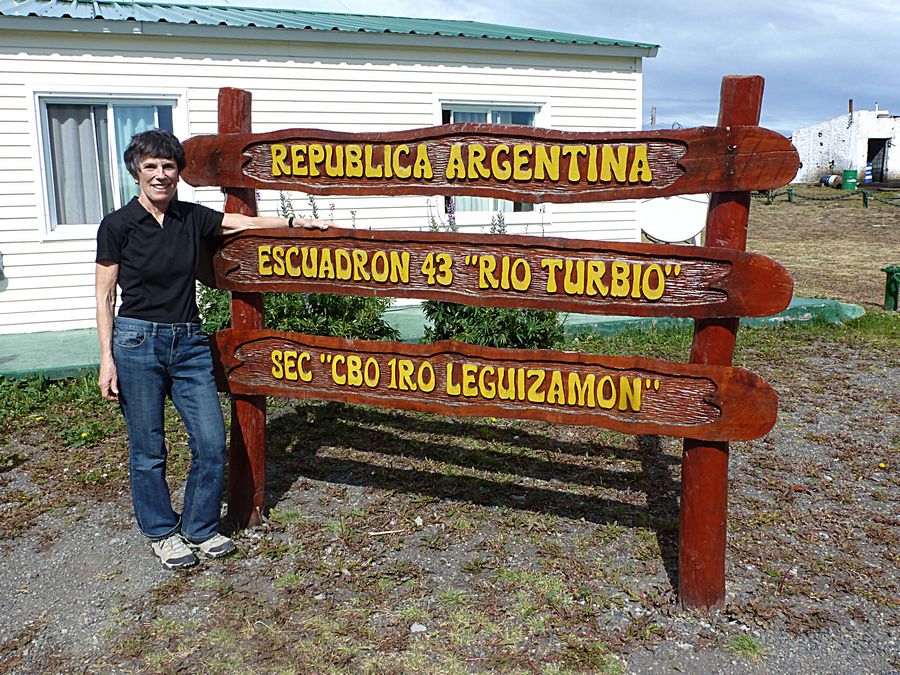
(551, 515)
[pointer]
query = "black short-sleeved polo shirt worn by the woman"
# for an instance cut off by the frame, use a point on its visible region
(157, 264)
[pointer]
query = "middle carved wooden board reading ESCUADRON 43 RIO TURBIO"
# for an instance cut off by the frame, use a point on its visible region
(507, 271)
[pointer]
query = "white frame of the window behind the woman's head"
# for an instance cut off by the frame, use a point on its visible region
(50, 230)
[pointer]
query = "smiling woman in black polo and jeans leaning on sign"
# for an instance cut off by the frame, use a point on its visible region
(154, 348)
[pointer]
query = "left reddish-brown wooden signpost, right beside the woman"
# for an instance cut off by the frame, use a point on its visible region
(248, 413)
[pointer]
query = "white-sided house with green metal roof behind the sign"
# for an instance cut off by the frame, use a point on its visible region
(78, 78)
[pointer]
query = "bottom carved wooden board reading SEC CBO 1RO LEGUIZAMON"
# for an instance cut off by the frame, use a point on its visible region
(628, 394)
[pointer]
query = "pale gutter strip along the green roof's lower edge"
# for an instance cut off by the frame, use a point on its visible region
(200, 31)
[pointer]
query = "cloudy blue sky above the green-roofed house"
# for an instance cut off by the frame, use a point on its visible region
(815, 56)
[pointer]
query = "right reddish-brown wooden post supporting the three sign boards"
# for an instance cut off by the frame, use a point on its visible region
(704, 468)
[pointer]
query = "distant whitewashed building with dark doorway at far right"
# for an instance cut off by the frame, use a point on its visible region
(850, 141)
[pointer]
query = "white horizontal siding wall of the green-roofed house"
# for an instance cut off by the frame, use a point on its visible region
(49, 277)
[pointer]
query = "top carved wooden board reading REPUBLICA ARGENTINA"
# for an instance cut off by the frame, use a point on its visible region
(513, 162)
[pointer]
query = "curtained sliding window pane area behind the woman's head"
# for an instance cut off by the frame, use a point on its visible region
(83, 143)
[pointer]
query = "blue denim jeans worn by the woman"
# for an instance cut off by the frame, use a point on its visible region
(155, 360)
